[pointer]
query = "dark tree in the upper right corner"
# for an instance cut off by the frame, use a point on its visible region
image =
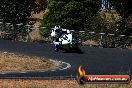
(124, 9)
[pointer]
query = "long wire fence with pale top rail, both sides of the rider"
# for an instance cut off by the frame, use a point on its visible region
(21, 32)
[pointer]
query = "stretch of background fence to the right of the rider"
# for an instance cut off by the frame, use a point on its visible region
(106, 40)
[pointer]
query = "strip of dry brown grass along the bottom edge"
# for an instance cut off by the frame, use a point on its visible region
(55, 84)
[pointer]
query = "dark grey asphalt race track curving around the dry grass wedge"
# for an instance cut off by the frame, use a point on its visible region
(94, 60)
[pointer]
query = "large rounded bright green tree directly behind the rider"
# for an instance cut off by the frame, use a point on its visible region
(71, 14)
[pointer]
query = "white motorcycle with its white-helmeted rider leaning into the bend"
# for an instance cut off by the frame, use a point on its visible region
(63, 39)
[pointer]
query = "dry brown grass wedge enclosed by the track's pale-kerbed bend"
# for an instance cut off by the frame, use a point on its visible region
(12, 62)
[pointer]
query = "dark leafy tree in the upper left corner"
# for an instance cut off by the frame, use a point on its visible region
(18, 11)
